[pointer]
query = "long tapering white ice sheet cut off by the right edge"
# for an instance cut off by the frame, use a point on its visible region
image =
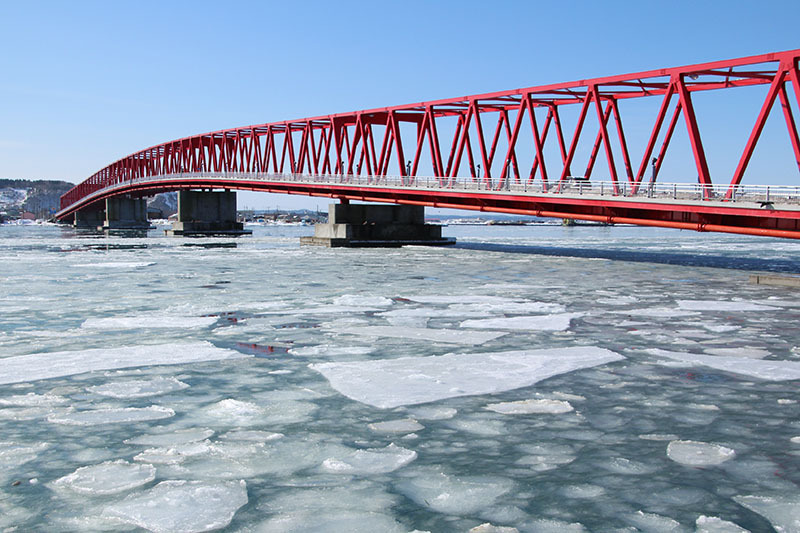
(757, 368)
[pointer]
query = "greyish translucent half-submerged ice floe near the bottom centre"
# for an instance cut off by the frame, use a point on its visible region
(460, 496)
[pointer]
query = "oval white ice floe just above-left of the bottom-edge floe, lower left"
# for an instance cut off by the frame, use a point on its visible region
(107, 478)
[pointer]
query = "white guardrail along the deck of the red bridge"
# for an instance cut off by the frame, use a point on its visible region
(573, 186)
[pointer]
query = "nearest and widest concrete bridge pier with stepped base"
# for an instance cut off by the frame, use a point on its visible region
(363, 225)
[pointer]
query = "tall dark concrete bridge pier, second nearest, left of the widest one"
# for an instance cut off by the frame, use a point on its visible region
(207, 214)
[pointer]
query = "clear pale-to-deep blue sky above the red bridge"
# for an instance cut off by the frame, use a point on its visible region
(84, 83)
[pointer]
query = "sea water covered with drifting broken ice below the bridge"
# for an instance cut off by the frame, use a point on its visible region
(536, 378)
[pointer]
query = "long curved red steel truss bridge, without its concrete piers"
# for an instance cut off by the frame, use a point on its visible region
(507, 152)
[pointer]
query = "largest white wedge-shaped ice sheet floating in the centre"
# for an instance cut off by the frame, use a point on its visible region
(412, 380)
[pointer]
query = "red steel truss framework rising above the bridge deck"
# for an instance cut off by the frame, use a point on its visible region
(370, 143)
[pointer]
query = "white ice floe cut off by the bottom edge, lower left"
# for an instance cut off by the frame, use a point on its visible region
(182, 506)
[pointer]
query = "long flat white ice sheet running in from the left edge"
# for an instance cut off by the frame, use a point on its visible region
(33, 367)
